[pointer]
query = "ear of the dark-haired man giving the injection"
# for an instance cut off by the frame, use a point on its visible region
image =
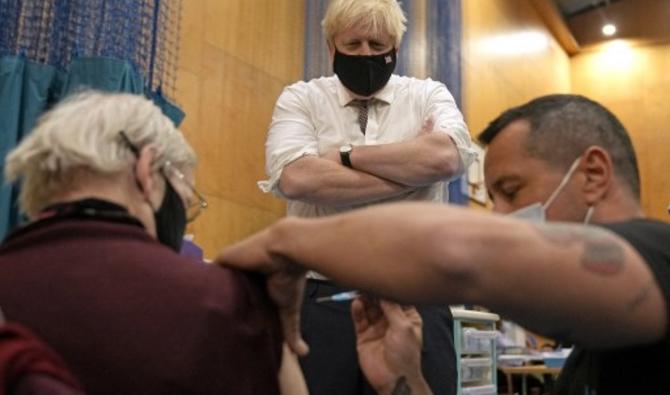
(597, 168)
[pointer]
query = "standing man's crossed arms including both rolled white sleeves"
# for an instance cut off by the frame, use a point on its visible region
(380, 171)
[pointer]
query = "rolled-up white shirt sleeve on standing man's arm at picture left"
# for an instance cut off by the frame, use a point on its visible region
(291, 136)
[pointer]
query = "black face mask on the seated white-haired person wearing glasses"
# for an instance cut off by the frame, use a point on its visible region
(171, 219)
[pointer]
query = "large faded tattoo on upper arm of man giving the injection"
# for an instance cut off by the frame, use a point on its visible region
(602, 254)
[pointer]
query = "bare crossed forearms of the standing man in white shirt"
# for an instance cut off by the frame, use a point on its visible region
(380, 171)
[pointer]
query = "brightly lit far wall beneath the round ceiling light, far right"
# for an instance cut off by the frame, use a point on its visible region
(634, 82)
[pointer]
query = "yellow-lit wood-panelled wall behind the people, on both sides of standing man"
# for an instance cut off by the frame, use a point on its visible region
(237, 55)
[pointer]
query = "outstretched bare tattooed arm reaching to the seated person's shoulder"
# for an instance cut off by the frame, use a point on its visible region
(570, 281)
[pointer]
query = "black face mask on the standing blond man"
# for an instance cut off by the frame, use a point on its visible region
(364, 75)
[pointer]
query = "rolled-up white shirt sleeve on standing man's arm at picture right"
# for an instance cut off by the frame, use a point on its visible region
(448, 119)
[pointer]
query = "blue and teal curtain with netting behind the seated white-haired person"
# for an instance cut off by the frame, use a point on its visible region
(50, 48)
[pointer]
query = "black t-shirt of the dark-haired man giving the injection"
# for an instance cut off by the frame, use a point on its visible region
(639, 370)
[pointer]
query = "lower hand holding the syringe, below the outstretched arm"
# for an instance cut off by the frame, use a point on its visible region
(389, 340)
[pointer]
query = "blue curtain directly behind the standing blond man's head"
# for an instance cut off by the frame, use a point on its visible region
(431, 48)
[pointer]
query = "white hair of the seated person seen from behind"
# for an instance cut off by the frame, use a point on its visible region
(84, 131)
